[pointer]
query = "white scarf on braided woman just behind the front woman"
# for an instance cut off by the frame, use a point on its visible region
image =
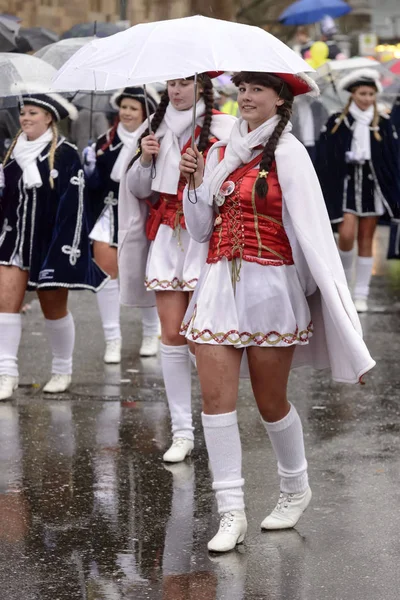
(174, 124)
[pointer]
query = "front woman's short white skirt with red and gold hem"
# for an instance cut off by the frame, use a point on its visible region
(267, 307)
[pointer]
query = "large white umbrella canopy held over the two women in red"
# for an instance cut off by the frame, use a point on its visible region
(175, 49)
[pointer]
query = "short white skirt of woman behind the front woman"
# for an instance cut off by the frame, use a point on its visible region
(174, 261)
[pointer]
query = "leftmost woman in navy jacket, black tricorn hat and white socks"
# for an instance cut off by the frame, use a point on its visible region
(44, 244)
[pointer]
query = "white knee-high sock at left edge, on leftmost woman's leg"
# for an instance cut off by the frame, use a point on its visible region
(10, 337)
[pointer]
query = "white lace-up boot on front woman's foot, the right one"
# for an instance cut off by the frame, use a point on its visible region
(288, 511)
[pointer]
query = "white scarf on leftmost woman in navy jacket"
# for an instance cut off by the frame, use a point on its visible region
(26, 152)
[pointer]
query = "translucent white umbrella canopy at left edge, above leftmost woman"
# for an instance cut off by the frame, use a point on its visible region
(23, 70)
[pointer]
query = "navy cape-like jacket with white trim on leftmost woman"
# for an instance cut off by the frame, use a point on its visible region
(47, 228)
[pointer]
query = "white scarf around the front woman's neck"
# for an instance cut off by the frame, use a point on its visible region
(240, 150)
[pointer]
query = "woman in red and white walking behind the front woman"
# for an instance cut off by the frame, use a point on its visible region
(174, 260)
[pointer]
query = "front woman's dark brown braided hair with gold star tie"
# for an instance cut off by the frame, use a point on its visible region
(285, 112)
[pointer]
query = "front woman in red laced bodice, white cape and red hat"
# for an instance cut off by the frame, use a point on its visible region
(273, 285)
